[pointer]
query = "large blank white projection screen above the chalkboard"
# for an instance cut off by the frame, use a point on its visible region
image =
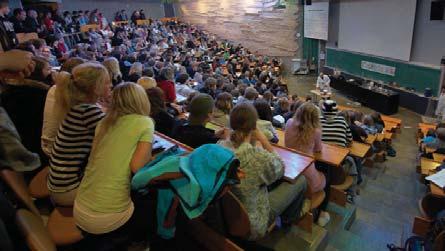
(378, 27)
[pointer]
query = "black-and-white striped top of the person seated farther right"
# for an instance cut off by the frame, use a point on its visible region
(335, 129)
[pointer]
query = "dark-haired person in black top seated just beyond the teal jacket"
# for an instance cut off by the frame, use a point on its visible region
(194, 133)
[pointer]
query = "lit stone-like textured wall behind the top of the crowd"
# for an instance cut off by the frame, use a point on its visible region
(254, 23)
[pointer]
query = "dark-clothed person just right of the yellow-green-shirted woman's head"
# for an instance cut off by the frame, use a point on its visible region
(164, 121)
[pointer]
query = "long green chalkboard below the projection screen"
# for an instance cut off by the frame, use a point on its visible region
(407, 74)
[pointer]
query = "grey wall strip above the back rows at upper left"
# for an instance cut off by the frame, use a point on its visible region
(152, 8)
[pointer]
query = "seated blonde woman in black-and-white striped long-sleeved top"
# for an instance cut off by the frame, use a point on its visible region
(79, 112)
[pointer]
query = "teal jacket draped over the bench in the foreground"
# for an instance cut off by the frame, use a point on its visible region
(205, 171)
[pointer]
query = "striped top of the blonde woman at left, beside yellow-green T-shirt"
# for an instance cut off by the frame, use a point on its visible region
(72, 147)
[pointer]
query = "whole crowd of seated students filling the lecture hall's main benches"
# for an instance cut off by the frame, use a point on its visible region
(93, 122)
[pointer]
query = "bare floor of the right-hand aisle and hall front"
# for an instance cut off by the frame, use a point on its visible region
(388, 199)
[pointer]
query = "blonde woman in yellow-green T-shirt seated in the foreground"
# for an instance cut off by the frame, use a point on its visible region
(122, 145)
